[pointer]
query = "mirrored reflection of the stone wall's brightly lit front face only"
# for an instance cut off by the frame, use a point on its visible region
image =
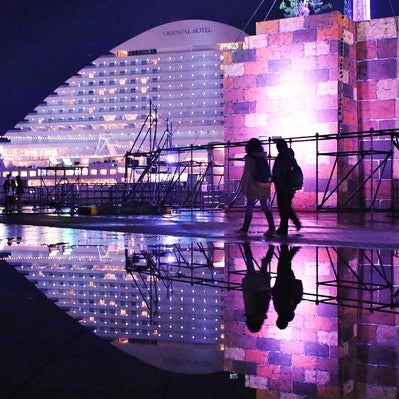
(301, 359)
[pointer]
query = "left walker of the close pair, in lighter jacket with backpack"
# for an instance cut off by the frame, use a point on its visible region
(256, 182)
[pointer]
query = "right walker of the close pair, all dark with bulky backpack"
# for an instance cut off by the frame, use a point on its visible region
(282, 168)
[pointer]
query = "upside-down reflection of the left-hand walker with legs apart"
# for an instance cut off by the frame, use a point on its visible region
(256, 289)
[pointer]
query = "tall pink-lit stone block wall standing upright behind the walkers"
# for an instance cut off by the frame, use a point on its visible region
(314, 74)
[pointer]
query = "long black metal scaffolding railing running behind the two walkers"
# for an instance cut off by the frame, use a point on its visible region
(347, 172)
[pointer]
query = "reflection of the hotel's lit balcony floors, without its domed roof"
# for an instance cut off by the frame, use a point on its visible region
(97, 289)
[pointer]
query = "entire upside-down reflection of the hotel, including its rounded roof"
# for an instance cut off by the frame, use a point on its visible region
(155, 300)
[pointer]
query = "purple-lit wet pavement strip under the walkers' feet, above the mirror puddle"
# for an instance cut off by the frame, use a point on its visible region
(347, 229)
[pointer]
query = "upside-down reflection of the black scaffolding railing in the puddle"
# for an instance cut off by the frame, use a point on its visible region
(369, 286)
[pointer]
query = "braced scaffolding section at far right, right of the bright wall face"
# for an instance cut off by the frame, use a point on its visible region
(362, 168)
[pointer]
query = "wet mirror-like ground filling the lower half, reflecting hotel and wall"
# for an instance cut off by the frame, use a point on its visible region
(183, 274)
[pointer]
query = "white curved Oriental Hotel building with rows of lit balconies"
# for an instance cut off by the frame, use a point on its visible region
(98, 113)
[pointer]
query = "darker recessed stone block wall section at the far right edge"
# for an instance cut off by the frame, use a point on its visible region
(378, 92)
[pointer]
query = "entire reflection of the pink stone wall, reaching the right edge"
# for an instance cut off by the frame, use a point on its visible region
(329, 350)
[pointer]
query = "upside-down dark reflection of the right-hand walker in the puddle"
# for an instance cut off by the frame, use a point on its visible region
(287, 290)
